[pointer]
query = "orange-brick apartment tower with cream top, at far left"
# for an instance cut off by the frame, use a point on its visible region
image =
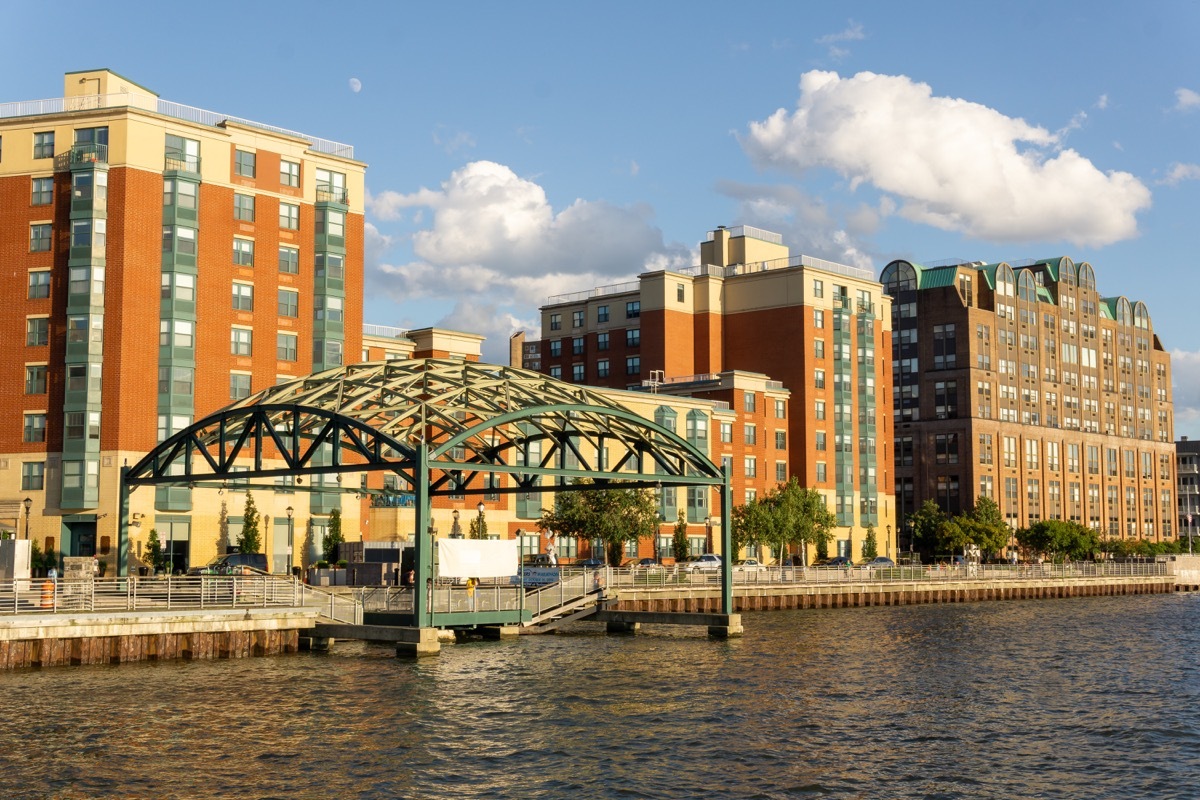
(163, 262)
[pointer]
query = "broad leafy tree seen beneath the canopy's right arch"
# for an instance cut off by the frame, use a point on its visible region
(610, 515)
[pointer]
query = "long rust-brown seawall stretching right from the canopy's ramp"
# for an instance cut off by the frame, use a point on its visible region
(784, 598)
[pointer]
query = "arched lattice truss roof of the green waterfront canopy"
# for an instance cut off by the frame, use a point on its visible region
(479, 423)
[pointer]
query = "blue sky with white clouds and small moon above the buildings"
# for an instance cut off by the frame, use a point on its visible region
(523, 151)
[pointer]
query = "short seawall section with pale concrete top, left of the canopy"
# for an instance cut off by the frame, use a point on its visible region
(61, 640)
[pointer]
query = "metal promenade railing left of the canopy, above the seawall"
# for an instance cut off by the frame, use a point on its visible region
(127, 594)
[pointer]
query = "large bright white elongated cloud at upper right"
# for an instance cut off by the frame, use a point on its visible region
(951, 164)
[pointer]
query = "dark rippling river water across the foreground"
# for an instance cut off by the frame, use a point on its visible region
(1070, 699)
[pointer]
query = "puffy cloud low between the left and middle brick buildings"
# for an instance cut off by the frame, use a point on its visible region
(494, 234)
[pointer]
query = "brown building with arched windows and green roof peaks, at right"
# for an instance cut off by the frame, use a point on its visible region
(1023, 383)
